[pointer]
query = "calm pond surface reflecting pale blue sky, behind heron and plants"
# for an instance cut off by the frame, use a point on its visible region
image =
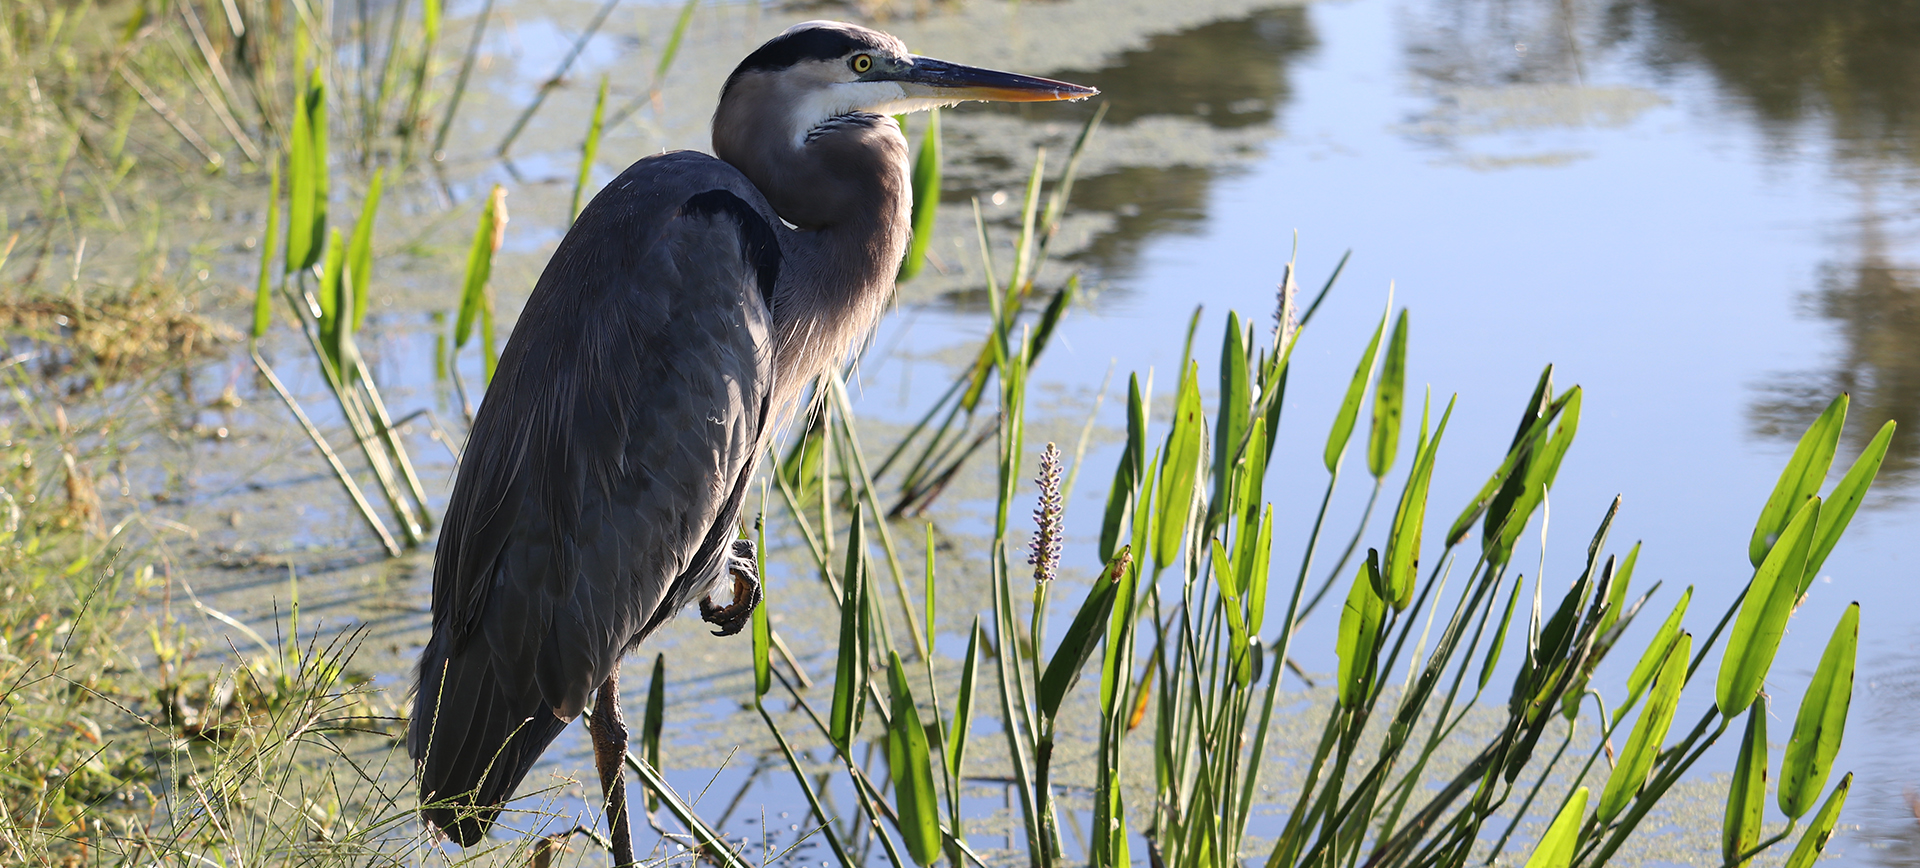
(1706, 214)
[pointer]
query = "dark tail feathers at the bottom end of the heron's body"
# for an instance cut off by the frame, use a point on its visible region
(473, 742)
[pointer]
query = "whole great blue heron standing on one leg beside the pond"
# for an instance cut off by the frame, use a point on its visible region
(673, 331)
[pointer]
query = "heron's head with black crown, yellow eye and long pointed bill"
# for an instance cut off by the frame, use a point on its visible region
(823, 70)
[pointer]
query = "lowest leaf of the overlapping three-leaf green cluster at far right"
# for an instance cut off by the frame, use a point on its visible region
(1764, 614)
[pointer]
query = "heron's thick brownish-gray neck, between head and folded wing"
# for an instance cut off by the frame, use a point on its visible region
(846, 189)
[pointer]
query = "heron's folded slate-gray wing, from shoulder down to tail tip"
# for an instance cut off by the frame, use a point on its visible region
(606, 470)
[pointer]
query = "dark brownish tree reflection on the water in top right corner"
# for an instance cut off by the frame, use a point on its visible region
(1846, 76)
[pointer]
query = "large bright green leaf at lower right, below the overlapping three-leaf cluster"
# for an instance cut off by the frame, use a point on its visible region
(1821, 721)
